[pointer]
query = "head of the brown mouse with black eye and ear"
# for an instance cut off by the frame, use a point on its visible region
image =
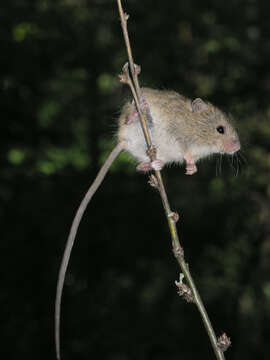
(218, 131)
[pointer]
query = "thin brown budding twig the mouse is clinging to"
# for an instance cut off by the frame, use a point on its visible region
(190, 292)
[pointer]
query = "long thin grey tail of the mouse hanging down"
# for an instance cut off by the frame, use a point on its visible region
(72, 234)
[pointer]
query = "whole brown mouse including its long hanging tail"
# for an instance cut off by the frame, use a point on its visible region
(181, 130)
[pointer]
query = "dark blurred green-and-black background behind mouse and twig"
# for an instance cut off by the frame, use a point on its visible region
(60, 99)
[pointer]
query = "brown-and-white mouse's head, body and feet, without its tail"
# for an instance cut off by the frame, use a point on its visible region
(181, 130)
